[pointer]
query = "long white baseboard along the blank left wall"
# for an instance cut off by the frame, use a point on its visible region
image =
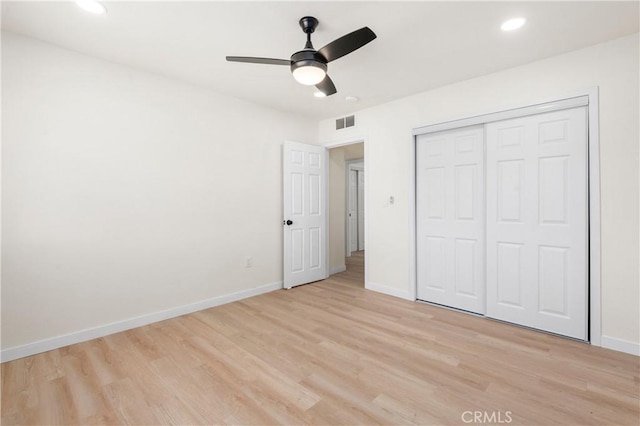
(116, 327)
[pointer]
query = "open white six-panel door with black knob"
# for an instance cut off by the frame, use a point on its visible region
(305, 229)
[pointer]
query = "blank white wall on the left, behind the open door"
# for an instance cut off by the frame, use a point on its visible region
(125, 193)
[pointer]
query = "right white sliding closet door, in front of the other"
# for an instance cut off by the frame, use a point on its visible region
(537, 221)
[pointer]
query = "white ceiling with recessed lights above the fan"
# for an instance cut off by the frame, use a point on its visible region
(420, 45)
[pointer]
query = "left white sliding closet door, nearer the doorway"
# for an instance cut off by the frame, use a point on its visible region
(450, 218)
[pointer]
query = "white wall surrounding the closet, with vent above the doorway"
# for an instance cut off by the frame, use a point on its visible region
(612, 66)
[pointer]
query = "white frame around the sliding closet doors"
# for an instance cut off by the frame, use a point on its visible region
(588, 98)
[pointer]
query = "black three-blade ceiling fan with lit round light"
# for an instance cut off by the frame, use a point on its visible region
(309, 66)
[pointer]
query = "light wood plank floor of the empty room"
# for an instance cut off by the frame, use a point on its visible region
(325, 353)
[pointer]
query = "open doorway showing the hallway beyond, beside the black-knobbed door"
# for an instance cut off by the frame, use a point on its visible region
(347, 212)
